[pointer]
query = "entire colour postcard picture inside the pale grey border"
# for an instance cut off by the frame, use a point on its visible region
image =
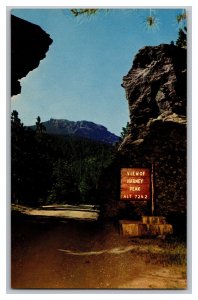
(99, 148)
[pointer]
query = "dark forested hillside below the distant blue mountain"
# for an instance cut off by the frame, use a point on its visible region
(55, 169)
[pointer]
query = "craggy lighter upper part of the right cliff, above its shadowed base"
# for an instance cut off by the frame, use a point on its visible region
(156, 86)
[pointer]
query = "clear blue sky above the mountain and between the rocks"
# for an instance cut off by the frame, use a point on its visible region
(81, 76)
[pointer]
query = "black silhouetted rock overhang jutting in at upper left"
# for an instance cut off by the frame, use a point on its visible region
(29, 44)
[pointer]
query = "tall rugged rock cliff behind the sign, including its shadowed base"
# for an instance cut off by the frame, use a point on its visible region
(156, 91)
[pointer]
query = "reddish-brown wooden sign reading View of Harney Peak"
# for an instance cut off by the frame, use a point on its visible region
(135, 184)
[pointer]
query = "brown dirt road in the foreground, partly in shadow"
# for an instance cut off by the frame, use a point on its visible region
(58, 253)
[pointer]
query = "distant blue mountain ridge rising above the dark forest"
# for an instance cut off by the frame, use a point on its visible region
(83, 129)
